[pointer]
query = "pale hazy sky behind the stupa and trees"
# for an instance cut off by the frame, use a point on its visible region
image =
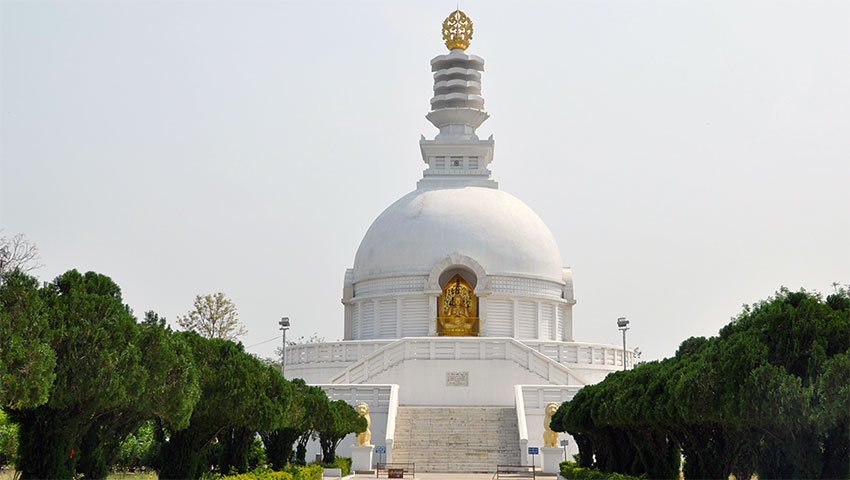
(688, 156)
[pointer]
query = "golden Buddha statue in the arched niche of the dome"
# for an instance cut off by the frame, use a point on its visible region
(457, 313)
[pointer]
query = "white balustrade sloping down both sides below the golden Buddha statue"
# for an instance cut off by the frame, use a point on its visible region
(380, 360)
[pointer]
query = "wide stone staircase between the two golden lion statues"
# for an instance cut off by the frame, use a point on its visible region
(456, 439)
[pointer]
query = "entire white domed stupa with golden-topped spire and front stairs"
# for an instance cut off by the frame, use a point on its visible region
(457, 300)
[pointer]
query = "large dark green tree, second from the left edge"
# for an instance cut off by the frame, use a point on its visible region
(94, 337)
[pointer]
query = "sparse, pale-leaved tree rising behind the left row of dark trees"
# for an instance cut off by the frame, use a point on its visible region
(214, 316)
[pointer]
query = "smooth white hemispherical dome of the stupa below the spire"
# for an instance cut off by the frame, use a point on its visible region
(494, 228)
